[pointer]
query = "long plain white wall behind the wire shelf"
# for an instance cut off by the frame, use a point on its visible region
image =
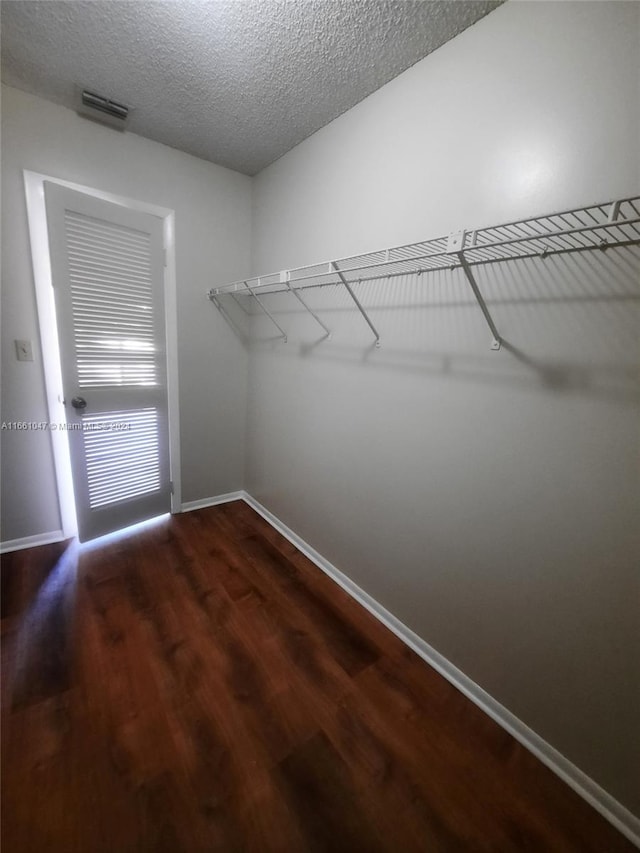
(489, 500)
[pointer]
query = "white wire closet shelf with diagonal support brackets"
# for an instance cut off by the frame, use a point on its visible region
(600, 226)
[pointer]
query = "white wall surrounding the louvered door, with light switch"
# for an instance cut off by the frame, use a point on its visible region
(213, 229)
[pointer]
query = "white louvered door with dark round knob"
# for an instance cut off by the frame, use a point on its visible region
(107, 268)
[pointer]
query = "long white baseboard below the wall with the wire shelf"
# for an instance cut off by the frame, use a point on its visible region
(619, 816)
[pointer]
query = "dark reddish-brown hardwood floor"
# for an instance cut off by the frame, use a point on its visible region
(200, 686)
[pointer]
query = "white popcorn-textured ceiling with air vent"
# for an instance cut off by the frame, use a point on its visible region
(237, 82)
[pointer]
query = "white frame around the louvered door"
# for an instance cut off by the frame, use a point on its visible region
(41, 260)
